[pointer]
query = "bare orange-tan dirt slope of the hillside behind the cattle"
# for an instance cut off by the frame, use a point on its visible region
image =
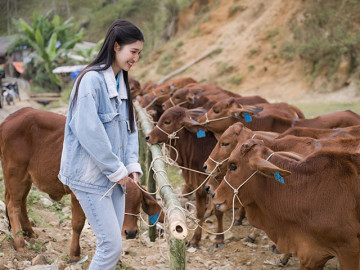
(248, 35)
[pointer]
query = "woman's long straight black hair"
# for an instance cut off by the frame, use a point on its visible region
(123, 32)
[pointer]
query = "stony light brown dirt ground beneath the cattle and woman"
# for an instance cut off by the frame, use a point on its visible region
(54, 235)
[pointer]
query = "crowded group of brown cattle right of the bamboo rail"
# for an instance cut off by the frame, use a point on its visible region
(296, 179)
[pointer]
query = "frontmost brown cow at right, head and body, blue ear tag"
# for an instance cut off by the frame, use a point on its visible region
(311, 208)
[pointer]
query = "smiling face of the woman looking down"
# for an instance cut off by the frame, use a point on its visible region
(126, 55)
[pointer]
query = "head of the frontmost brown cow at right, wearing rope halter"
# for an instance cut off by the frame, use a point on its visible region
(246, 159)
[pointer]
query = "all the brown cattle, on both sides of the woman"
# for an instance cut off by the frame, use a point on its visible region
(296, 179)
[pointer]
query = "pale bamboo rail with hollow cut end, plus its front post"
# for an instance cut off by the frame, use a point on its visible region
(176, 217)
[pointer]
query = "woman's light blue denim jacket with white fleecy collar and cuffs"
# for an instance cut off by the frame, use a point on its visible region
(99, 148)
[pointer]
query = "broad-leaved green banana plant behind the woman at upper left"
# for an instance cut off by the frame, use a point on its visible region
(51, 40)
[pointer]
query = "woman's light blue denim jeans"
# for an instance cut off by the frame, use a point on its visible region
(106, 218)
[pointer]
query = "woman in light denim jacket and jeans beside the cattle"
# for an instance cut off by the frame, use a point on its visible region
(101, 142)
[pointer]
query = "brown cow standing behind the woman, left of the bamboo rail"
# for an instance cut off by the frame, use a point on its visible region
(31, 144)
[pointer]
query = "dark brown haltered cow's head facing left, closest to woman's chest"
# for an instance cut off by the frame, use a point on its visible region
(172, 121)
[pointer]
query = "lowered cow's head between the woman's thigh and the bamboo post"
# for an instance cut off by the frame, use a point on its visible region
(135, 198)
